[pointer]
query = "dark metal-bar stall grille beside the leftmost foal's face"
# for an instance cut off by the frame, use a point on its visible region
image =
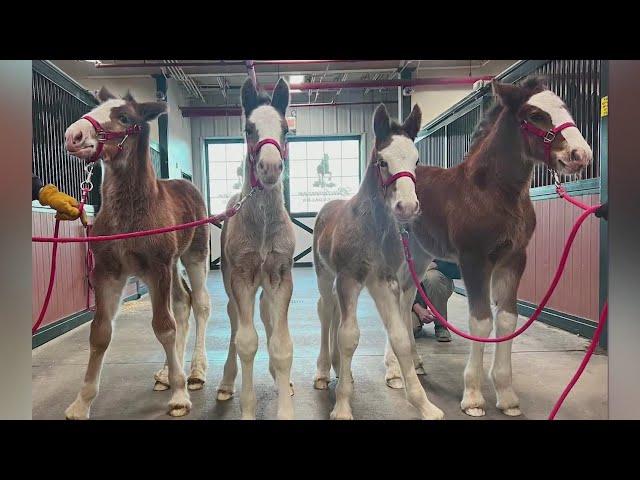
(55, 106)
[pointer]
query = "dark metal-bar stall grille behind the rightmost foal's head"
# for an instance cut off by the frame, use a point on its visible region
(445, 141)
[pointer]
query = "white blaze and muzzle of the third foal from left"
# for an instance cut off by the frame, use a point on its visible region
(400, 155)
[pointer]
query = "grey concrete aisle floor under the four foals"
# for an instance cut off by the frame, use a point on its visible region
(544, 360)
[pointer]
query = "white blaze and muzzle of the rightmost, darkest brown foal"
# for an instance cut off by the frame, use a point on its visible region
(575, 153)
